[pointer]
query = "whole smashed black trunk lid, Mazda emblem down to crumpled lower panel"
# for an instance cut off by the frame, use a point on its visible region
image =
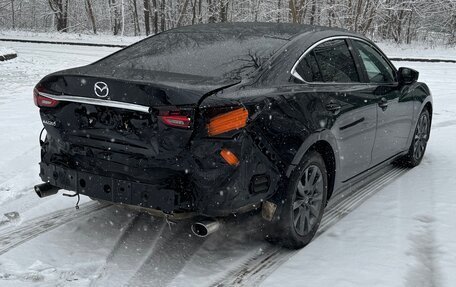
(98, 116)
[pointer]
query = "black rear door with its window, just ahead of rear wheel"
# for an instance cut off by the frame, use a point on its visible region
(350, 113)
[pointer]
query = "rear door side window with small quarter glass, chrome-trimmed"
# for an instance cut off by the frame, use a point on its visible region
(330, 61)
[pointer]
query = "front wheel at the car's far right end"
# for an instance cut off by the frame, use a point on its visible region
(419, 142)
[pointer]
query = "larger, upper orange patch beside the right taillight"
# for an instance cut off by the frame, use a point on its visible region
(227, 122)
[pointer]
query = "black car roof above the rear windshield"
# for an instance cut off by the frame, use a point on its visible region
(286, 31)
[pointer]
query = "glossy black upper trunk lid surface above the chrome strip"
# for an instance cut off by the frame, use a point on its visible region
(135, 86)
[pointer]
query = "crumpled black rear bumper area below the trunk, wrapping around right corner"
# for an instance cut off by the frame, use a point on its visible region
(206, 186)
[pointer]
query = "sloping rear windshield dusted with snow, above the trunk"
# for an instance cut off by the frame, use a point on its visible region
(201, 54)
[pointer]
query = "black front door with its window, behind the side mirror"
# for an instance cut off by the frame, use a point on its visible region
(394, 110)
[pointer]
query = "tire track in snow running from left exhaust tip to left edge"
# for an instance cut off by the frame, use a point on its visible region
(42, 224)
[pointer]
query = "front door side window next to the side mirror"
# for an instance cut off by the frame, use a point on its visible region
(378, 70)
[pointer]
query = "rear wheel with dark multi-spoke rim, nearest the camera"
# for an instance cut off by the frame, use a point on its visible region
(303, 208)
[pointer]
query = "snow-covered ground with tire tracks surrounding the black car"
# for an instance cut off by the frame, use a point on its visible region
(398, 231)
